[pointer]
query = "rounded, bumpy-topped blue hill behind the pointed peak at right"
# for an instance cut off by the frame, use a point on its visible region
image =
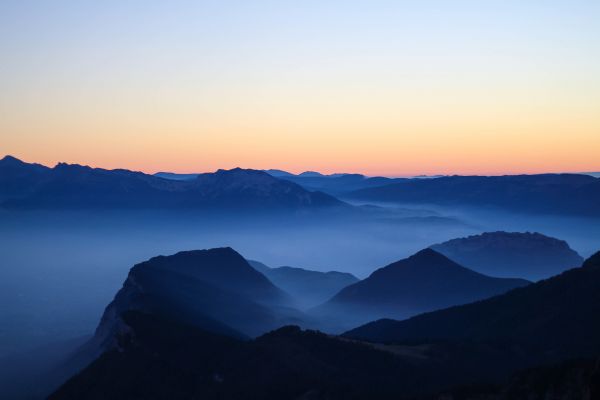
(511, 254)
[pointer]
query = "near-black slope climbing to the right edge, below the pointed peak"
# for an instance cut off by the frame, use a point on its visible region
(554, 319)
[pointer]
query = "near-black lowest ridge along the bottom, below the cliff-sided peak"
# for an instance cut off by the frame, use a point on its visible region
(162, 359)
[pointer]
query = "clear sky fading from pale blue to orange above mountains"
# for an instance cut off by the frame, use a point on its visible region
(377, 87)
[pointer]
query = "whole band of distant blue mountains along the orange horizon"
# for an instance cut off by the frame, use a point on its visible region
(24, 185)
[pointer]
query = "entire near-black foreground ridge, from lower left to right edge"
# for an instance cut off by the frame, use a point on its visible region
(465, 352)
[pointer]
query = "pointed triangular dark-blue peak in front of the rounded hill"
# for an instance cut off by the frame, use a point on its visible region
(423, 282)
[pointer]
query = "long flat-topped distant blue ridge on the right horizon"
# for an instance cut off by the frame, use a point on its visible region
(545, 193)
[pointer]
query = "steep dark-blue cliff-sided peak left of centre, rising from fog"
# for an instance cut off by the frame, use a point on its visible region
(214, 289)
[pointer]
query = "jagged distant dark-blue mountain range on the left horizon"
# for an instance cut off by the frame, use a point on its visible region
(76, 186)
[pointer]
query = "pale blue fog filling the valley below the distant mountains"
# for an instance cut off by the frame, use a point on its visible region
(58, 270)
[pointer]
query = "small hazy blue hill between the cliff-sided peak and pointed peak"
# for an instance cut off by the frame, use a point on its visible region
(309, 288)
